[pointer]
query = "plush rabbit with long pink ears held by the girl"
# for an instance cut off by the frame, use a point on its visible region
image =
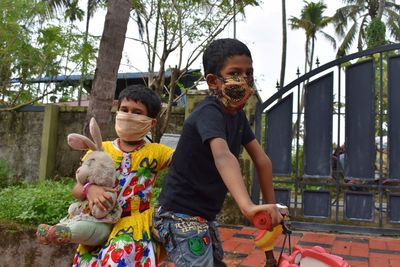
(84, 225)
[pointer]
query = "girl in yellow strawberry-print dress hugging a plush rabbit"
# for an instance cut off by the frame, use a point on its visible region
(137, 164)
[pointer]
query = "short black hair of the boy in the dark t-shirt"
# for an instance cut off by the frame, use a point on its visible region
(215, 55)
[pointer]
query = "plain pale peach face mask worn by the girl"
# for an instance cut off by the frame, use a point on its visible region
(132, 127)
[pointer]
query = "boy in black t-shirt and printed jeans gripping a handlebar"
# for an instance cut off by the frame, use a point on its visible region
(205, 165)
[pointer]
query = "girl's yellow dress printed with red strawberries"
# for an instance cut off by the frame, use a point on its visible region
(130, 244)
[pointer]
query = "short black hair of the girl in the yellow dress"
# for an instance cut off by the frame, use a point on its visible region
(139, 92)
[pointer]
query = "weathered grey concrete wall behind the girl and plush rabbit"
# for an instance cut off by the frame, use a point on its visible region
(22, 144)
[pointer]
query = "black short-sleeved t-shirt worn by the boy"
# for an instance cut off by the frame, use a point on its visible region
(193, 185)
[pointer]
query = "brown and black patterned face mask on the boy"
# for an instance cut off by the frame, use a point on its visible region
(236, 91)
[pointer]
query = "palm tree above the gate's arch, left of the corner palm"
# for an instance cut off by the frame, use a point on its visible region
(312, 21)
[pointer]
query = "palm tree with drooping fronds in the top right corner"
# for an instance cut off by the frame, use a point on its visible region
(351, 21)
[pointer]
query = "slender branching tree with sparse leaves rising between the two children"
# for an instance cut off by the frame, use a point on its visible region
(178, 31)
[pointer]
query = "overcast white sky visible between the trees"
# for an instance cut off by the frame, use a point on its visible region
(261, 31)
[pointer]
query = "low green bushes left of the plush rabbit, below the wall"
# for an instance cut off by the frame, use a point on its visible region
(44, 202)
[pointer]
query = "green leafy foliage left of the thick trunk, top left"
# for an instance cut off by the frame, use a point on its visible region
(36, 42)
